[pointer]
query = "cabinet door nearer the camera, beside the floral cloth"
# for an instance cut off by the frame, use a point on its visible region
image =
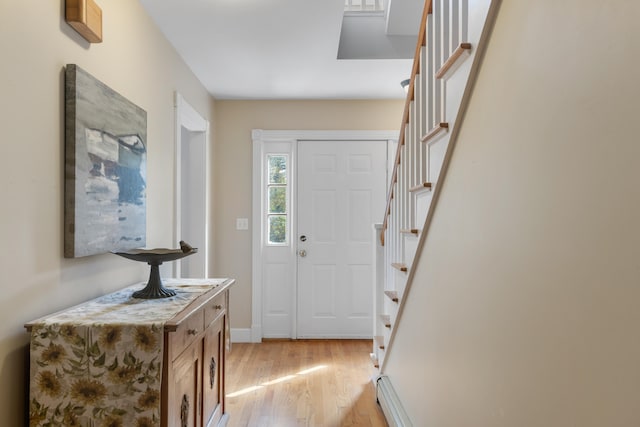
(185, 397)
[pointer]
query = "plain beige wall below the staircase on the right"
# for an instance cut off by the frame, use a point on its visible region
(525, 306)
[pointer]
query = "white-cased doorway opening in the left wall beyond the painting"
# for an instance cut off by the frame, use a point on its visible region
(192, 180)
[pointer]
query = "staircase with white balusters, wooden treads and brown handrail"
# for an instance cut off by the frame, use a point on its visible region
(447, 55)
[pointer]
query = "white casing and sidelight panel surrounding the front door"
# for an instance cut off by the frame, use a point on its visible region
(274, 292)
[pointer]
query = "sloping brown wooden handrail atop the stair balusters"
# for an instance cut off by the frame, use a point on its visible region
(422, 41)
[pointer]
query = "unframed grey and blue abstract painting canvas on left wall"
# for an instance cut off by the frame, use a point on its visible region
(105, 168)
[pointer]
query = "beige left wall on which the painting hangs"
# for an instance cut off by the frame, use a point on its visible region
(136, 61)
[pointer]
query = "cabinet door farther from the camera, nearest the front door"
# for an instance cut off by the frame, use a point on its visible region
(213, 365)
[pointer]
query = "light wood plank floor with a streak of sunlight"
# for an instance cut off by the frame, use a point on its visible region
(321, 383)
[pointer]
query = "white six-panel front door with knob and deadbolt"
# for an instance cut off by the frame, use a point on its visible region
(341, 190)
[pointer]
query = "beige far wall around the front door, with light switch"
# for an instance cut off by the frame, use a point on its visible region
(233, 162)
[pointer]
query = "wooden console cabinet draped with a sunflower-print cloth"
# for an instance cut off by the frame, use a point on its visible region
(97, 362)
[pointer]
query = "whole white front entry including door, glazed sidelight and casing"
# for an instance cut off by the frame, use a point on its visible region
(329, 186)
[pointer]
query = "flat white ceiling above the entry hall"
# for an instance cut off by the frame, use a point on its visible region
(276, 49)
